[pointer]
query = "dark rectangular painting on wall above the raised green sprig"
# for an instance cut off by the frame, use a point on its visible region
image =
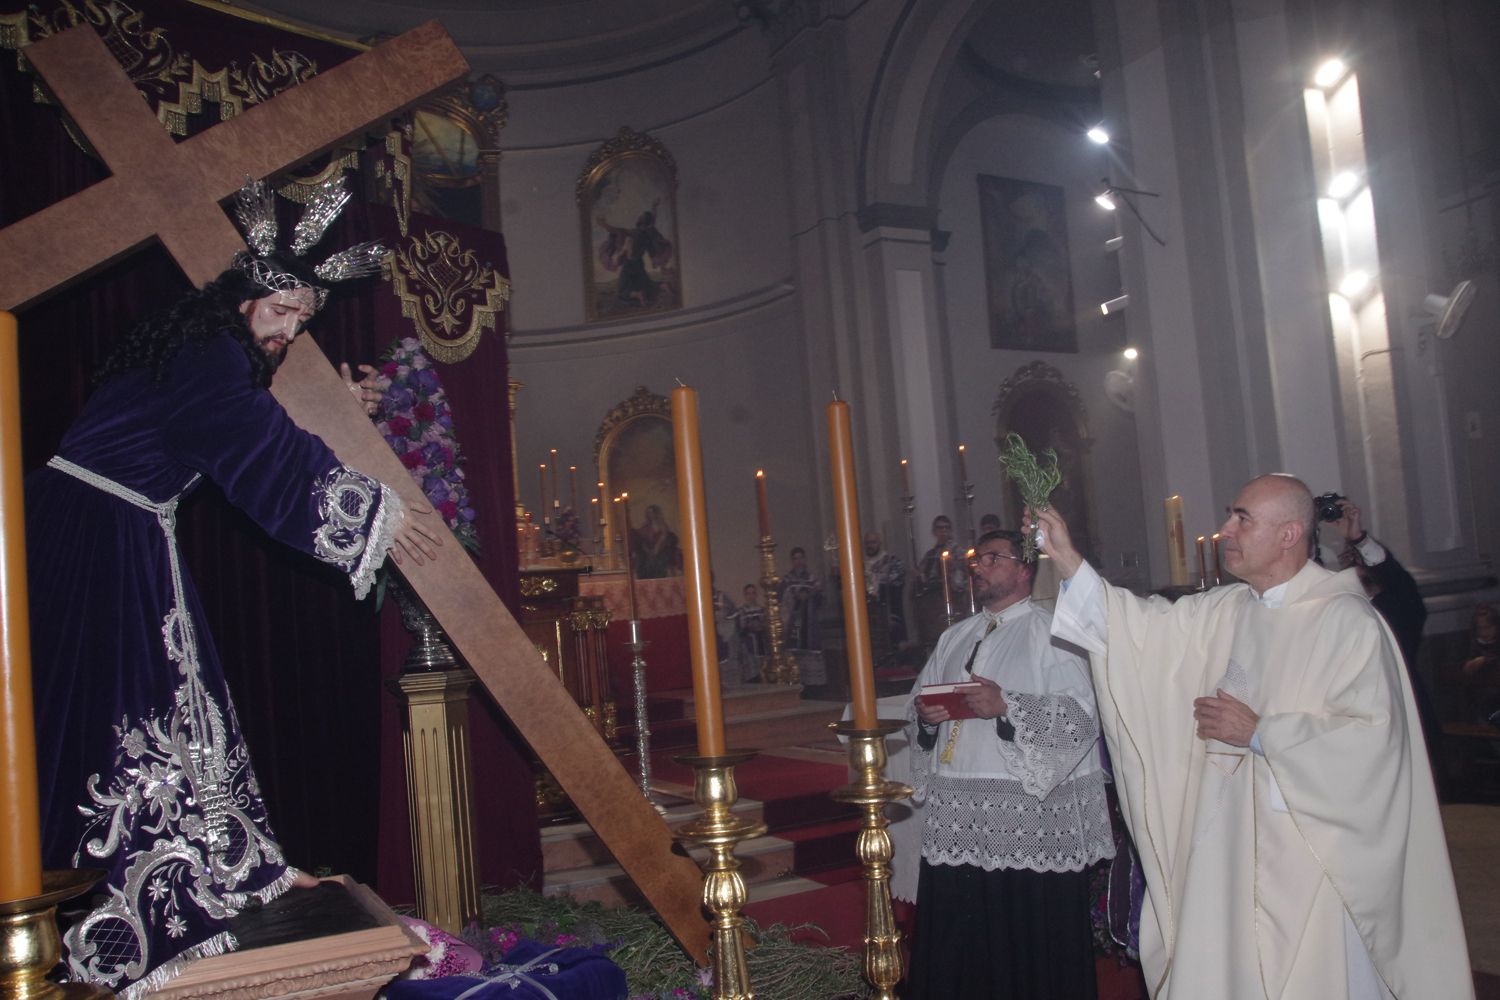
(1028, 272)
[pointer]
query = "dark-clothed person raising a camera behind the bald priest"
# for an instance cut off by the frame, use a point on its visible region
(1393, 591)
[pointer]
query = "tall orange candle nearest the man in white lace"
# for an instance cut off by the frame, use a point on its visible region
(851, 566)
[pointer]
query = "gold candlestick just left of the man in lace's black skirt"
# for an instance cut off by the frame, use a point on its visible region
(872, 794)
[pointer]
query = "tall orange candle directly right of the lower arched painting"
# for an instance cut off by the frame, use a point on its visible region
(697, 572)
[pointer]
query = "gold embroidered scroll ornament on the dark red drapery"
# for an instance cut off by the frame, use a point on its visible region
(448, 293)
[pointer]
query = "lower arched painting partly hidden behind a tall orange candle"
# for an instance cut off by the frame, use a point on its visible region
(635, 455)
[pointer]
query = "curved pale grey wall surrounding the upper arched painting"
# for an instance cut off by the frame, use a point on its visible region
(737, 338)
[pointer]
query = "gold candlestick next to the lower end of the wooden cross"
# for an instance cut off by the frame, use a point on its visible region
(724, 887)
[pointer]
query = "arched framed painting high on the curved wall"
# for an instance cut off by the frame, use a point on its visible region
(628, 215)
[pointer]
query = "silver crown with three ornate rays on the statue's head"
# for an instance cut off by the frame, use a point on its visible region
(256, 208)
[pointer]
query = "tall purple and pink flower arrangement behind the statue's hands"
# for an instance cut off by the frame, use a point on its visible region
(418, 425)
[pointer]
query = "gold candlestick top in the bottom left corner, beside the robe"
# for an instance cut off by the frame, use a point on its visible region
(31, 945)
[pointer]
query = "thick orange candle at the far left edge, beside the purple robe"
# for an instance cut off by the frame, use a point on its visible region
(20, 828)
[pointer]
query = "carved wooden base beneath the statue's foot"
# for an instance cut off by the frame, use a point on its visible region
(350, 965)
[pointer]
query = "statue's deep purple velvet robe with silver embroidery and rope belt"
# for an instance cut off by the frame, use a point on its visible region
(143, 767)
